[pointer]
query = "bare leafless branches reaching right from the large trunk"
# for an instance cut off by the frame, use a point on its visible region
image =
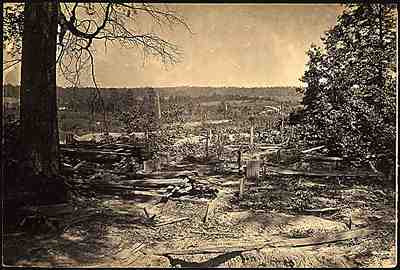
(115, 23)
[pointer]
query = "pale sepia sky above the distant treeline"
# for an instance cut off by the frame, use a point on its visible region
(242, 45)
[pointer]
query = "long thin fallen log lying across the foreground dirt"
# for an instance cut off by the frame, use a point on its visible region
(309, 241)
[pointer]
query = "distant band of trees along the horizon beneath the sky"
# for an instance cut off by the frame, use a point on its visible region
(120, 99)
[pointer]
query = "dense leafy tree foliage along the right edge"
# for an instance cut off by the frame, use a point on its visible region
(349, 94)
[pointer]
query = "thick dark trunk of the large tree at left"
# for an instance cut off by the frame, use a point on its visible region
(40, 143)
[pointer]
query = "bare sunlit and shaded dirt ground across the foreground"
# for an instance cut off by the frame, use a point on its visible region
(118, 233)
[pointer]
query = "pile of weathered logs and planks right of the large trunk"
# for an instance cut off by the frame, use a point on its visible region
(117, 169)
